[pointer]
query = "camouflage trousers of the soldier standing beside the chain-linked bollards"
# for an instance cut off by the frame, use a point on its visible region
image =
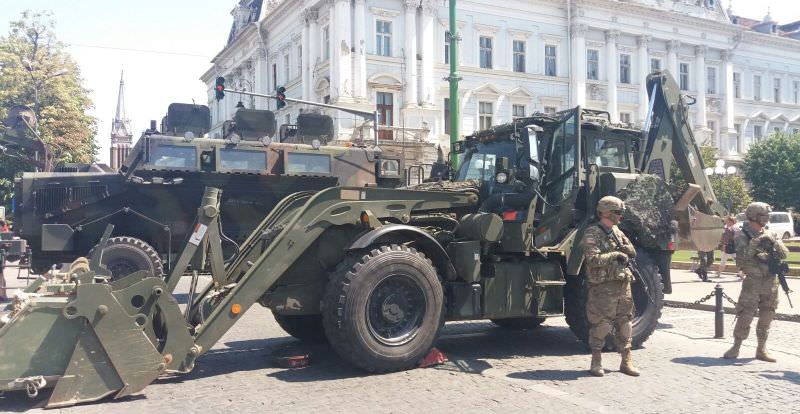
(758, 292)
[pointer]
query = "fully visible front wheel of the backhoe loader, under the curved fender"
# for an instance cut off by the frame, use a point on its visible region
(383, 310)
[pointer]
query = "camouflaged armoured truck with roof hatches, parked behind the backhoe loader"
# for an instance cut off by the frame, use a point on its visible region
(152, 199)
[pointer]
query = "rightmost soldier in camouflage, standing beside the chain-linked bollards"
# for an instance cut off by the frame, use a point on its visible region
(760, 287)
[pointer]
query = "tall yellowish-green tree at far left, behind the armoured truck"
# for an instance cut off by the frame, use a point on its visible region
(37, 71)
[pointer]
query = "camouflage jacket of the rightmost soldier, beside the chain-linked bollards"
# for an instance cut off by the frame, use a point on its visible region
(753, 250)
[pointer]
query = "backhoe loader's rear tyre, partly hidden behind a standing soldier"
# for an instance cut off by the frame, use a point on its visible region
(647, 310)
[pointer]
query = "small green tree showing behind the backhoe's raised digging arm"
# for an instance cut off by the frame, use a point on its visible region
(731, 190)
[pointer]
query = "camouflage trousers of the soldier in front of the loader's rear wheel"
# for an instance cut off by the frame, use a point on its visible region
(610, 306)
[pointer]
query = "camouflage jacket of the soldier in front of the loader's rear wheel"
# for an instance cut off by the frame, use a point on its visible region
(605, 261)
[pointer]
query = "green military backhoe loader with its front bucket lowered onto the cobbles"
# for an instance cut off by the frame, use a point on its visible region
(378, 271)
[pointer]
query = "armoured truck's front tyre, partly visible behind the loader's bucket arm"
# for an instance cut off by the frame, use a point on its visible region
(124, 255)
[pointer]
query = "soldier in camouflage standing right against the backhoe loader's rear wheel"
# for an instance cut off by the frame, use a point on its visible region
(609, 304)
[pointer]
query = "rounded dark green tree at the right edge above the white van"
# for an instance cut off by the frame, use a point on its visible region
(773, 169)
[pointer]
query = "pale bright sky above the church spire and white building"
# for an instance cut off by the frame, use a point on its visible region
(107, 36)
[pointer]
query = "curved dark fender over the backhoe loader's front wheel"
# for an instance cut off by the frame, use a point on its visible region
(403, 233)
